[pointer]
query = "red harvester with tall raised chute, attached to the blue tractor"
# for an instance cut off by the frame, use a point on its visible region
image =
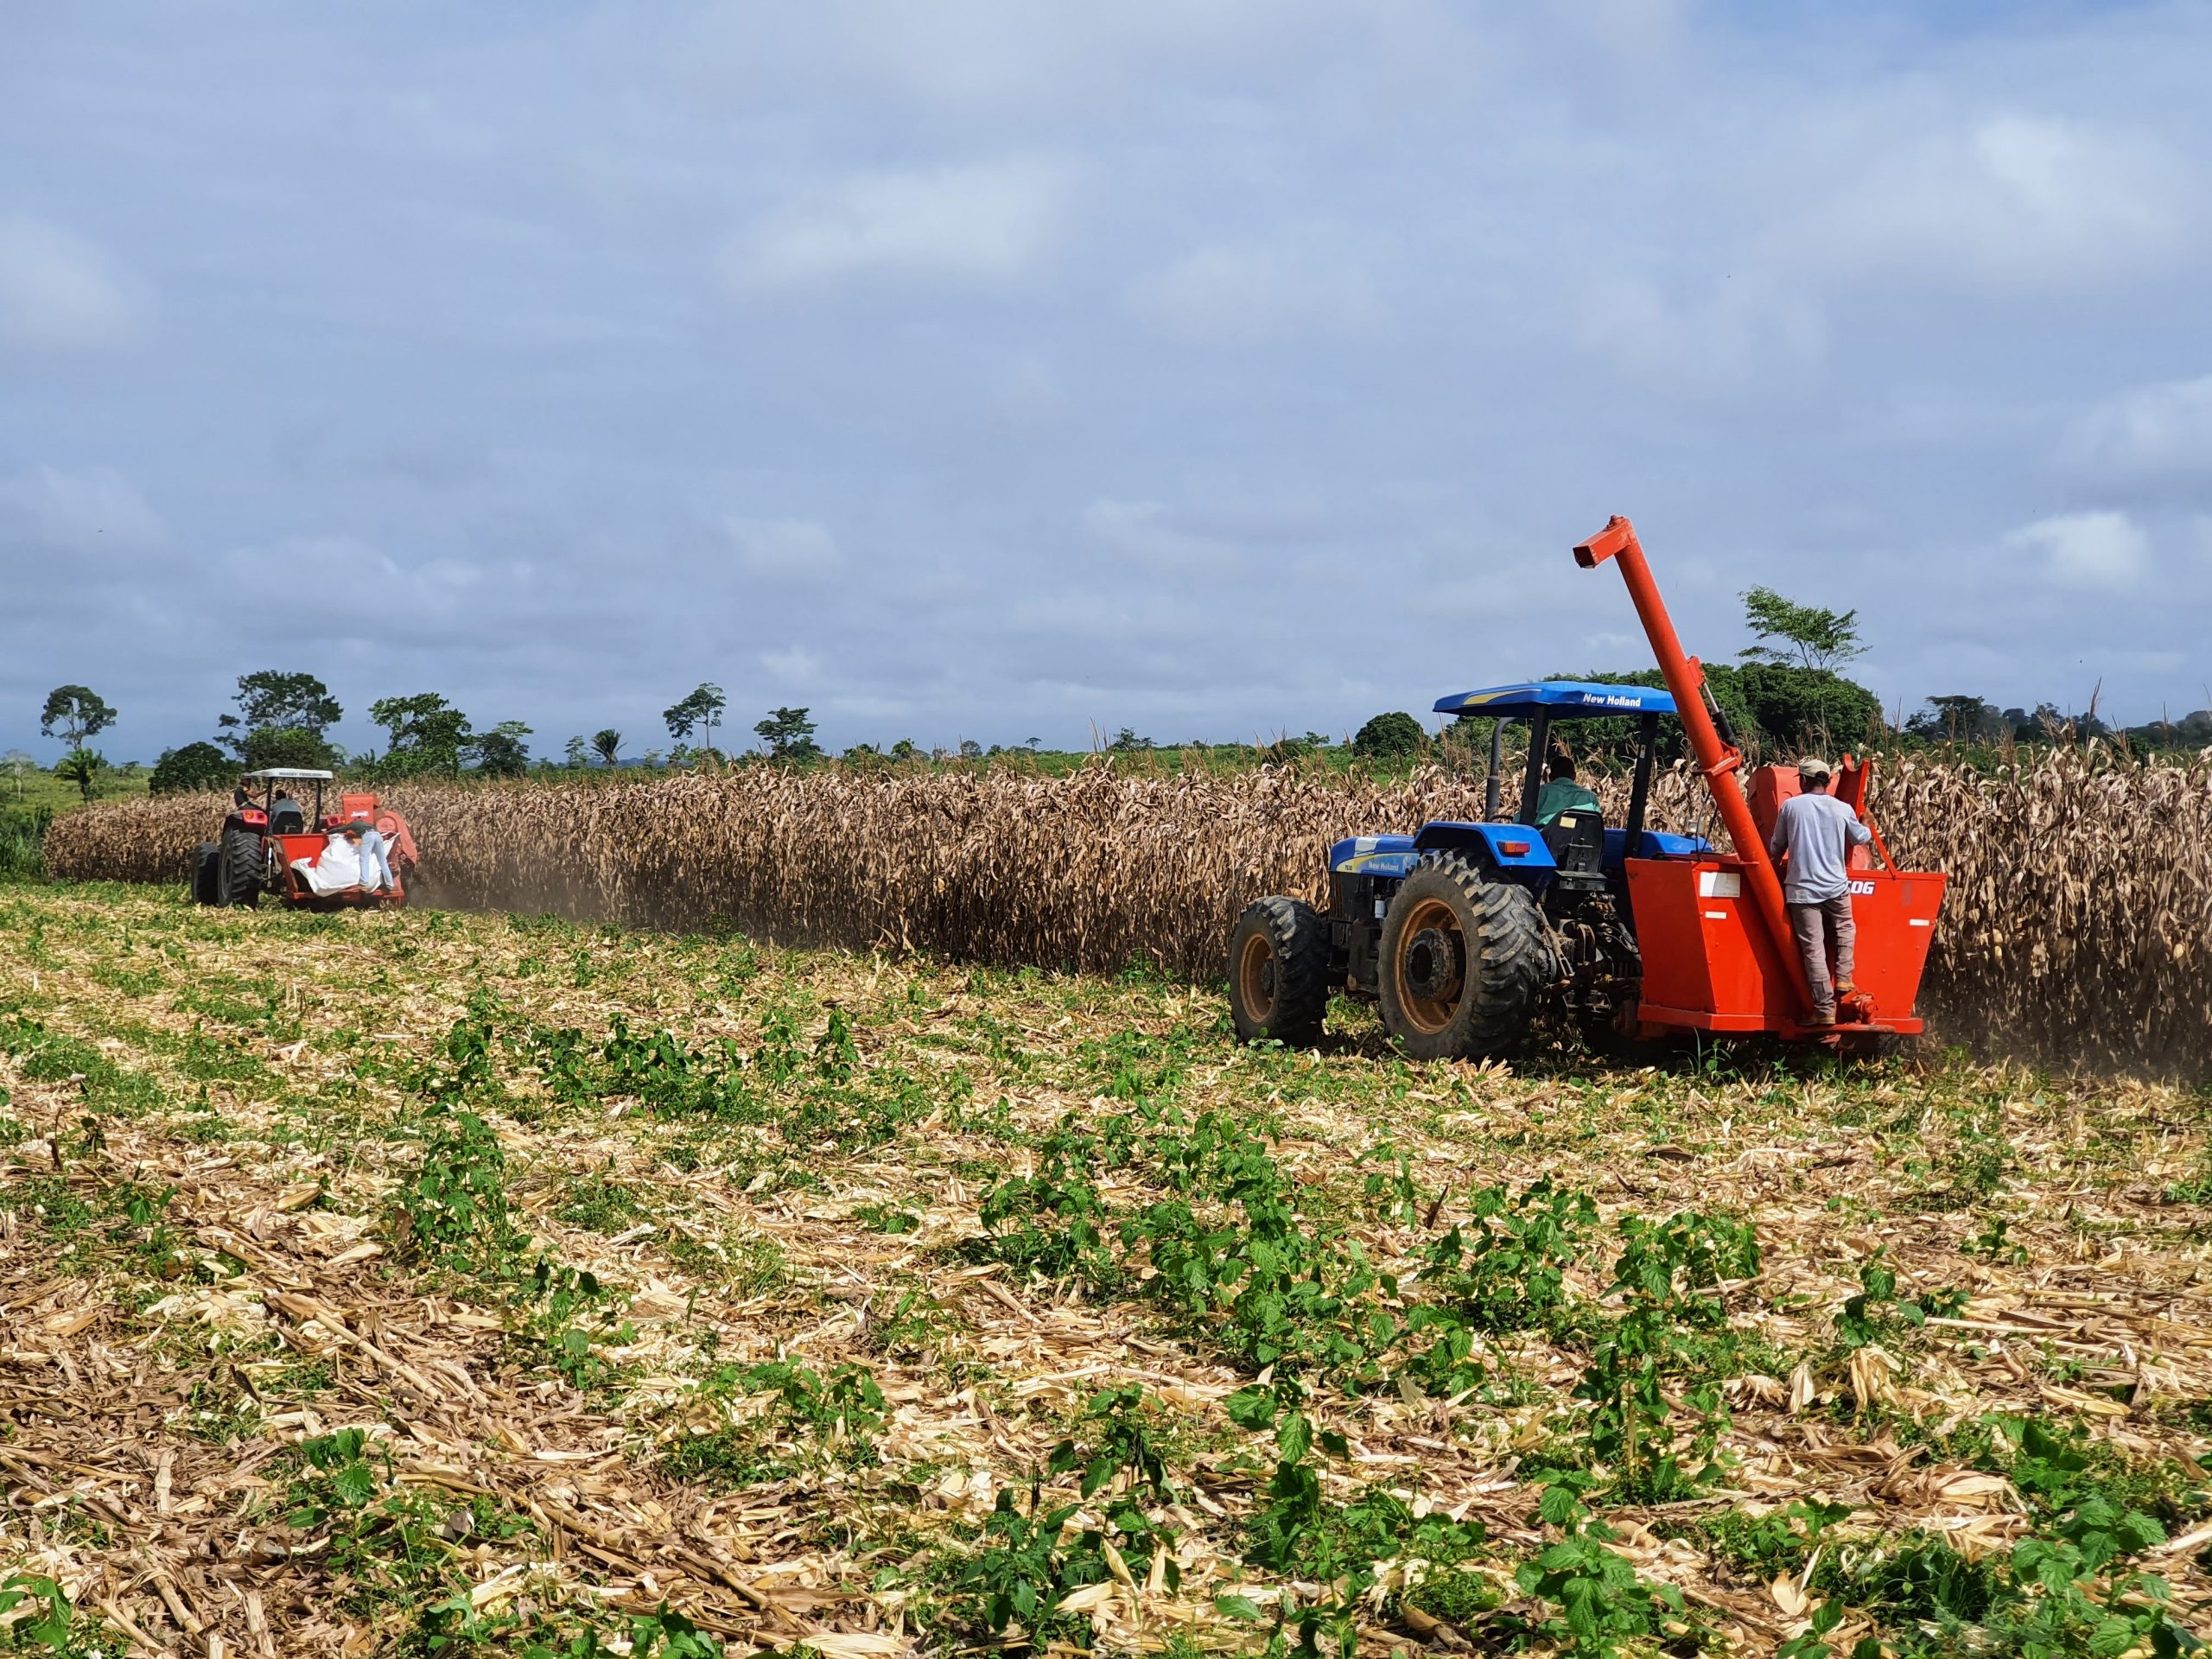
(1715, 932)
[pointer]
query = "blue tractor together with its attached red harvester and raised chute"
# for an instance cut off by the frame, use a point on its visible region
(1468, 932)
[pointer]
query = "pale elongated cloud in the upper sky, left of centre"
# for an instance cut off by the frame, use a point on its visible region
(985, 222)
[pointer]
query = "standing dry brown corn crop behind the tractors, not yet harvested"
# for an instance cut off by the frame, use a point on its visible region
(2076, 926)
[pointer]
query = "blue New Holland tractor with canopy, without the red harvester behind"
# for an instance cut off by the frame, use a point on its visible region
(1465, 932)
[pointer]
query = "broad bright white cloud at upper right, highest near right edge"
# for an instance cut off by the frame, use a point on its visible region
(2010, 205)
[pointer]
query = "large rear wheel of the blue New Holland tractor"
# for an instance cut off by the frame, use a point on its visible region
(1463, 963)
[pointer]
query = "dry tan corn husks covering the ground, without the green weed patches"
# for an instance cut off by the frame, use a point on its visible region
(158, 1388)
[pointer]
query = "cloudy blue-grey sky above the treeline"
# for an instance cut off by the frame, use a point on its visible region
(1021, 371)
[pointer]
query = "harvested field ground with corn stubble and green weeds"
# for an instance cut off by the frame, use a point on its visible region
(468, 1284)
